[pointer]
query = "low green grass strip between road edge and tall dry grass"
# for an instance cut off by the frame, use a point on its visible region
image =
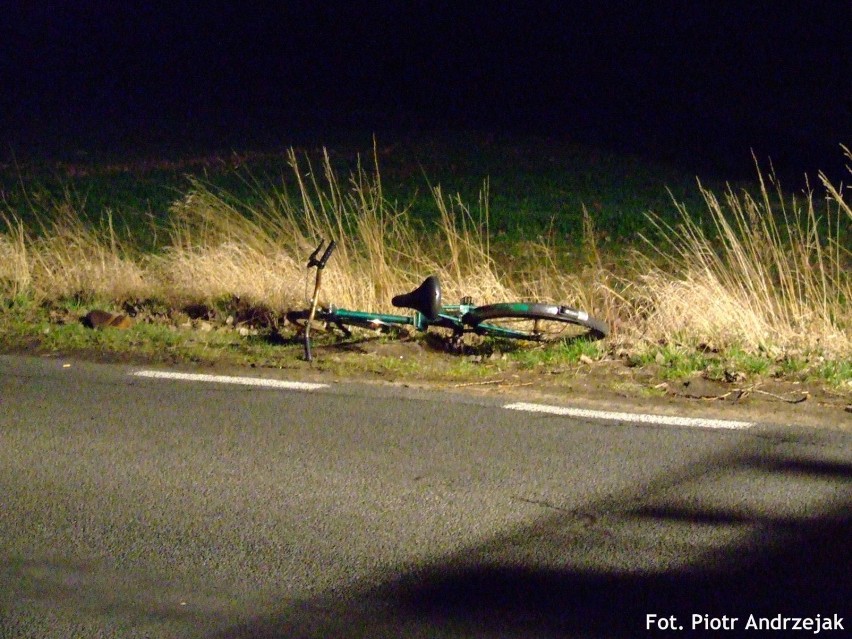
(26, 325)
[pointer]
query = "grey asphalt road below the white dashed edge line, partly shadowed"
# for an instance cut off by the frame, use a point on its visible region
(134, 507)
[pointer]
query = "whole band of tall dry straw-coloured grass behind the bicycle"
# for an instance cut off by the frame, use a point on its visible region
(766, 275)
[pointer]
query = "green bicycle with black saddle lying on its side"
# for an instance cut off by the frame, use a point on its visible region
(533, 321)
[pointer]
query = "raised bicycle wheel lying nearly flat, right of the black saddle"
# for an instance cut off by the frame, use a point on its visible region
(535, 322)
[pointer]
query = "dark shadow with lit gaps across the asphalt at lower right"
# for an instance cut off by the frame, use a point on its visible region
(780, 546)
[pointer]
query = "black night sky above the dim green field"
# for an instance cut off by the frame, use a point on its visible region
(702, 82)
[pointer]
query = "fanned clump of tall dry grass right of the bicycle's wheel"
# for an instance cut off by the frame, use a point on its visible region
(769, 279)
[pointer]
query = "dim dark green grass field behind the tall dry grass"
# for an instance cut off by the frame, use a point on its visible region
(537, 187)
